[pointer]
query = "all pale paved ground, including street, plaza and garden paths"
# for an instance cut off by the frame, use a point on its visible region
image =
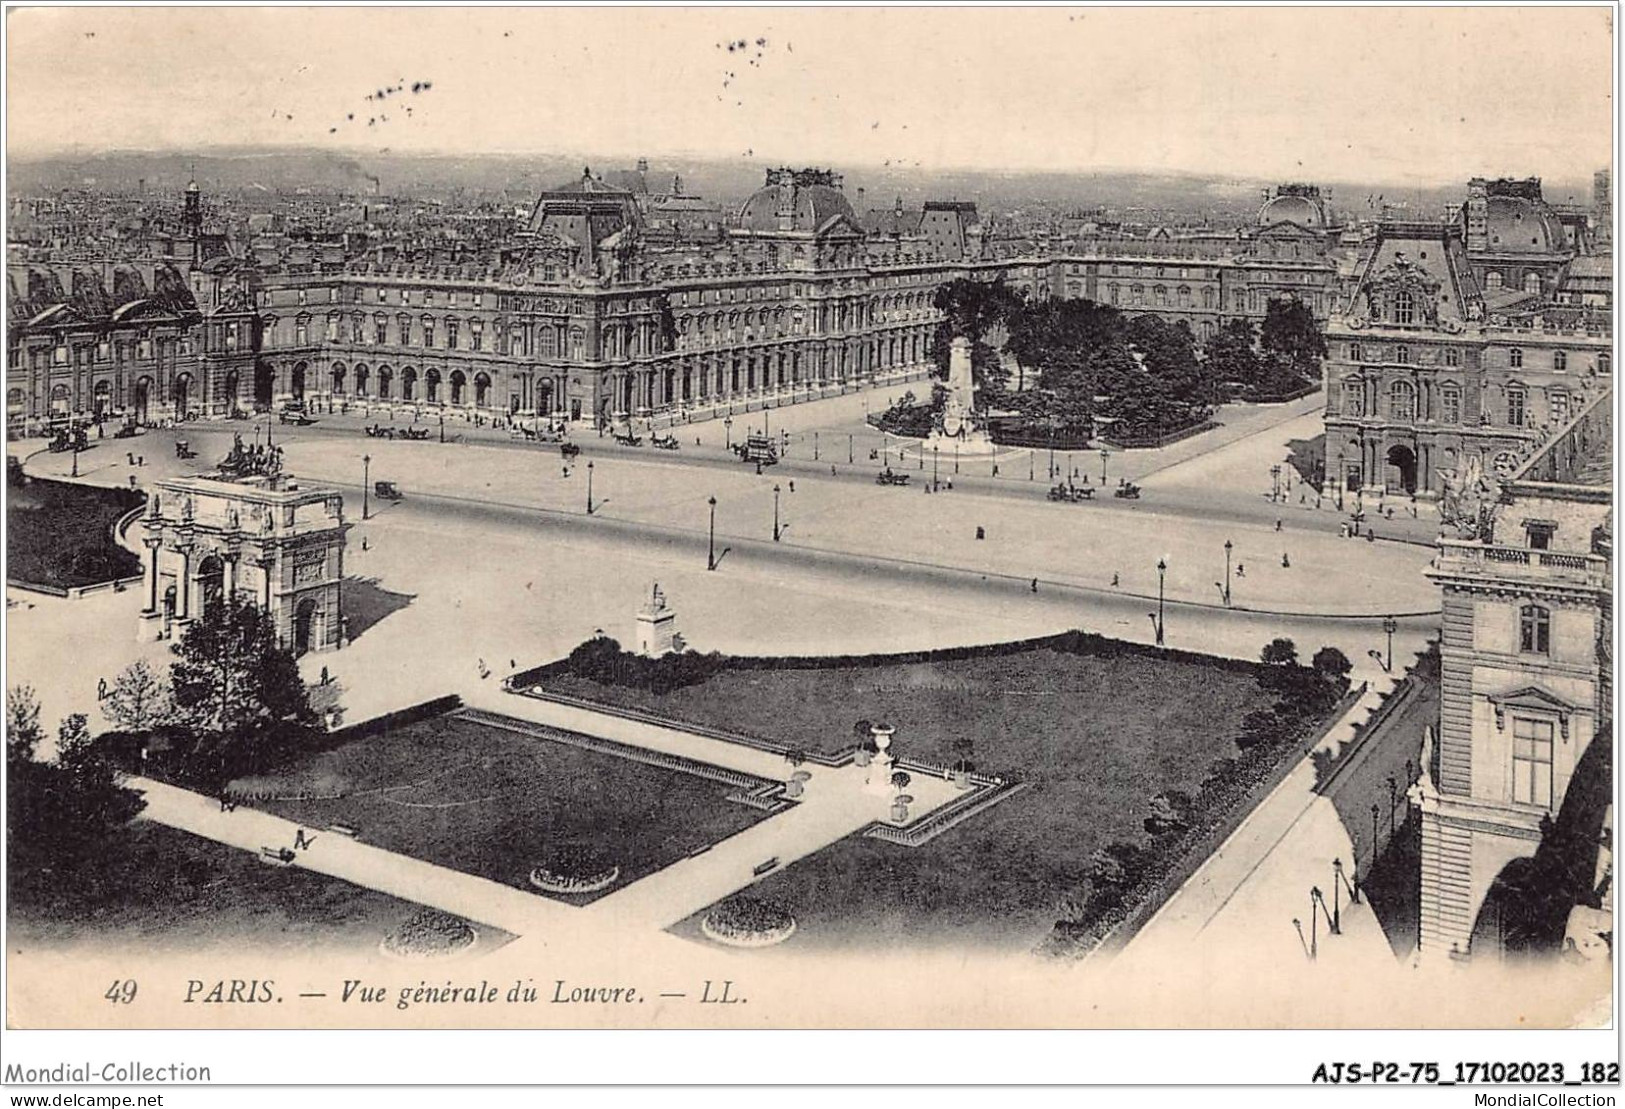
(493, 563)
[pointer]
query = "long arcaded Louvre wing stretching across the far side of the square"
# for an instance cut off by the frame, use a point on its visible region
(617, 303)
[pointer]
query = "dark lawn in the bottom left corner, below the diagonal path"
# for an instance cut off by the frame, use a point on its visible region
(167, 890)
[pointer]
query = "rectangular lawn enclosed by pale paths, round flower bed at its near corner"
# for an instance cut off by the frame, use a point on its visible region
(496, 804)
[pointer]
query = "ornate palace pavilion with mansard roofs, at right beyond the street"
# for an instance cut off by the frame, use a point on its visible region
(1465, 344)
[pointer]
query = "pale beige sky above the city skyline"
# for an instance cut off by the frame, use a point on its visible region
(1423, 95)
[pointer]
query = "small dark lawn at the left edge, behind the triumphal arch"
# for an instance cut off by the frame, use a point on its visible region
(61, 534)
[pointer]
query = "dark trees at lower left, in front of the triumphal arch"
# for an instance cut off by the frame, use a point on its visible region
(233, 703)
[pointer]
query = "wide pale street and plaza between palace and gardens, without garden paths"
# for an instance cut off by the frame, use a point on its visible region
(493, 557)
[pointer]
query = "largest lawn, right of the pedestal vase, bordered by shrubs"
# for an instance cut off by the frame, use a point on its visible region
(1094, 734)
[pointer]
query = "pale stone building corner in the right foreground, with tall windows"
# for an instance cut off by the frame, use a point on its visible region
(1525, 674)
